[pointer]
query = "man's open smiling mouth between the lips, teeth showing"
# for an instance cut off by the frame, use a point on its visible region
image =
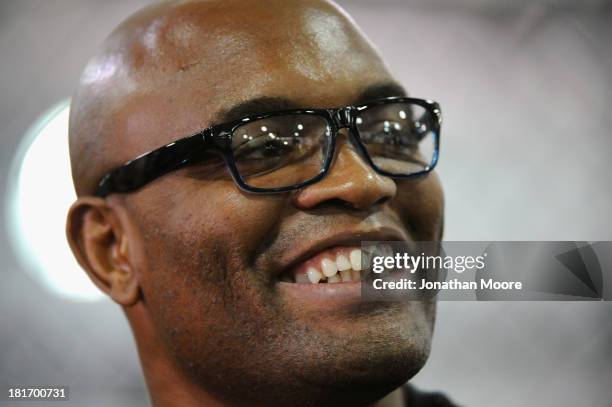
(331, 266)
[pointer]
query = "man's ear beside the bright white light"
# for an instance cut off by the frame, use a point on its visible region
(100, 245)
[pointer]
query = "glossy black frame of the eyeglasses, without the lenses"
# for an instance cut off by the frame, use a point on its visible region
(149, 166)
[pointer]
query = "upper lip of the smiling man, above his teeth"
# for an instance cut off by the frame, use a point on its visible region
(345, 238)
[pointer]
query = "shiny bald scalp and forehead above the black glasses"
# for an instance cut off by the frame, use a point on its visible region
(174, 67)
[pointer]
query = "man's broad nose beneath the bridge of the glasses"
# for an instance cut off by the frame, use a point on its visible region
(350, 180)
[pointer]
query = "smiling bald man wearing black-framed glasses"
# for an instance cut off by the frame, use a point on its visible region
(229, 157)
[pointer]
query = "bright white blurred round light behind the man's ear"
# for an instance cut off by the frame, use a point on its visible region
(39, 195)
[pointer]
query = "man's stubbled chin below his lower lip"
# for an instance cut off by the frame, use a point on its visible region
(366, 345)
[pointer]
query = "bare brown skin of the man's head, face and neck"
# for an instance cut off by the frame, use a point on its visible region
(191, 258)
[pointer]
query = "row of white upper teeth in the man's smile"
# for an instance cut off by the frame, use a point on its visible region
(345, 267)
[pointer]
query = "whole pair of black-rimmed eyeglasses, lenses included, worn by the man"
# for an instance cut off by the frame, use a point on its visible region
(398, 137)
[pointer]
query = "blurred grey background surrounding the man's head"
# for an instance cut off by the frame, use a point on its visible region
(526, 92)
